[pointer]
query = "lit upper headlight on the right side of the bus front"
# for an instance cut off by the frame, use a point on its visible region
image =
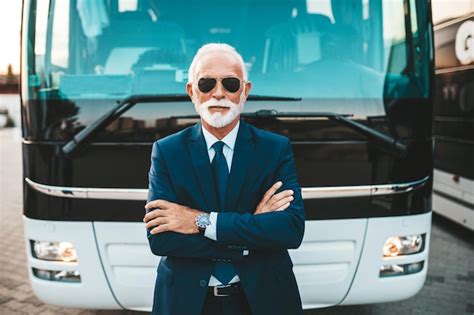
(403, 245)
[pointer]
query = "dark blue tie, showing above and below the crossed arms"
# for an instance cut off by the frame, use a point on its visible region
(223, 271)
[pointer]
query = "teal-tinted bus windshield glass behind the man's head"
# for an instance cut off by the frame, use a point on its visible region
(304, 48)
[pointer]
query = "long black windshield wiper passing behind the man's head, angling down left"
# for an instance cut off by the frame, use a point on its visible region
(122, 106)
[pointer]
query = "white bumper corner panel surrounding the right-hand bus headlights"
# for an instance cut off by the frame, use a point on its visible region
(367, 286)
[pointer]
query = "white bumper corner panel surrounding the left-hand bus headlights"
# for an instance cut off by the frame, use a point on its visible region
(92, 291)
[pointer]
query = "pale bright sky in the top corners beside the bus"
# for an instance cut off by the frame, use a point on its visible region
(10, 16)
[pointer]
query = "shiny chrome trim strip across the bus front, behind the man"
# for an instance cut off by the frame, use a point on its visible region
(308, 192)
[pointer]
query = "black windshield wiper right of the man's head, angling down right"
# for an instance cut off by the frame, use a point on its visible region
(379, 137)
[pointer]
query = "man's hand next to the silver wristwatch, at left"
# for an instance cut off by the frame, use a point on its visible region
(170, 217)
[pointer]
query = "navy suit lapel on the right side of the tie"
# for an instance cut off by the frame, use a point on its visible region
(243, 151)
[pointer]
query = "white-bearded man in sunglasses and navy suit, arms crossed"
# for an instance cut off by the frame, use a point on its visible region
(215, 215)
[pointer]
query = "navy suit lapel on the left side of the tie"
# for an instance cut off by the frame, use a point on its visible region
(202, 167)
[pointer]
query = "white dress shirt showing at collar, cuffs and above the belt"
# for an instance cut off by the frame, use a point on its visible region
(228, 151)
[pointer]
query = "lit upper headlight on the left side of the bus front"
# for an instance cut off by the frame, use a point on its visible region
(57, 251)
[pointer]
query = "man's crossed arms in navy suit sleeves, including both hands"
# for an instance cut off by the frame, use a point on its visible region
(276, 223)
